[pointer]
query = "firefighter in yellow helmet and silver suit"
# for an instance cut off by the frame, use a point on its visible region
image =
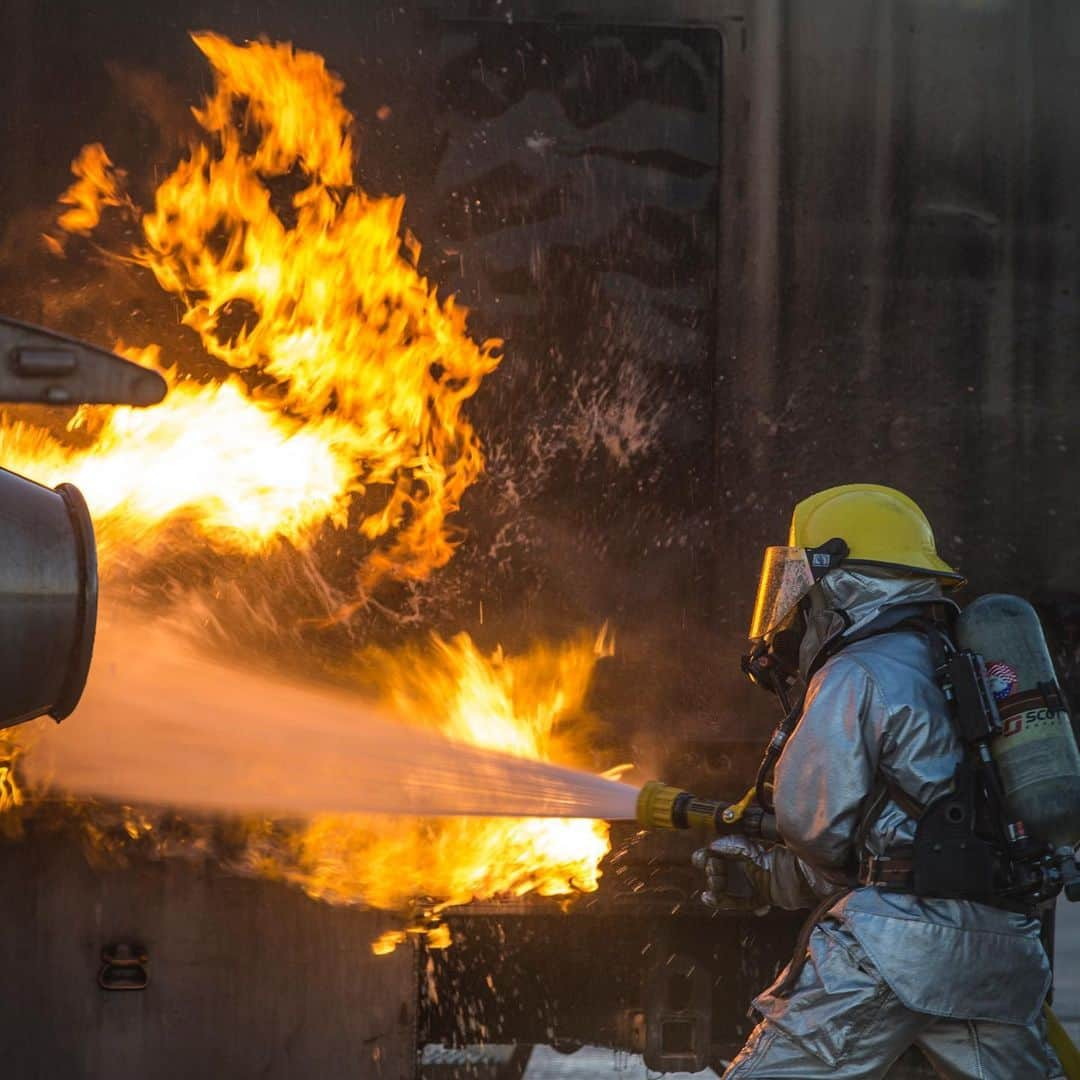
(877, 969)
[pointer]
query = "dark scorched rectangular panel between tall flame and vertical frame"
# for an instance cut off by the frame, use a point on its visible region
(582, 194)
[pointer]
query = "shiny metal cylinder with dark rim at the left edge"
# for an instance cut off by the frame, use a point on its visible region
(48, 599)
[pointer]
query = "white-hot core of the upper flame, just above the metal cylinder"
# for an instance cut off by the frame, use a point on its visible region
(239, 470)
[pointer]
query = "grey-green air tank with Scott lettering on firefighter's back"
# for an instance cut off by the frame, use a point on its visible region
(1036, 751)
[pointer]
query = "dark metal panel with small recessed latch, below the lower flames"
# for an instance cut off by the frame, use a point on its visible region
(245, 978)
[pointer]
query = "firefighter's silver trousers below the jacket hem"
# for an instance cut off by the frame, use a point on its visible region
(843, 1021)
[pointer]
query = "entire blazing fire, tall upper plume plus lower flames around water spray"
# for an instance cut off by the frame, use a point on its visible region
(349, 380)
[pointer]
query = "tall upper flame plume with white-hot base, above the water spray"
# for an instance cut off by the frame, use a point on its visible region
(368, 369)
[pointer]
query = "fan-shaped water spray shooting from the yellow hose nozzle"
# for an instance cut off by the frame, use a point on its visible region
(163, 724)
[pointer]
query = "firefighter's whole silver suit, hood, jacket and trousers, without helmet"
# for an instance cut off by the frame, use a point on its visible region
(964, 981)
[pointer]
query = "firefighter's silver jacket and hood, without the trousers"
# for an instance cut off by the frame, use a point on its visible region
(875, 711)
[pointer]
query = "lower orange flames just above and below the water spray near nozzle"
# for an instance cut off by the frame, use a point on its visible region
(518, 705)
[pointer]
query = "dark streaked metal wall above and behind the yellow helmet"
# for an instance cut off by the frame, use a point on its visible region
(915, 283)
